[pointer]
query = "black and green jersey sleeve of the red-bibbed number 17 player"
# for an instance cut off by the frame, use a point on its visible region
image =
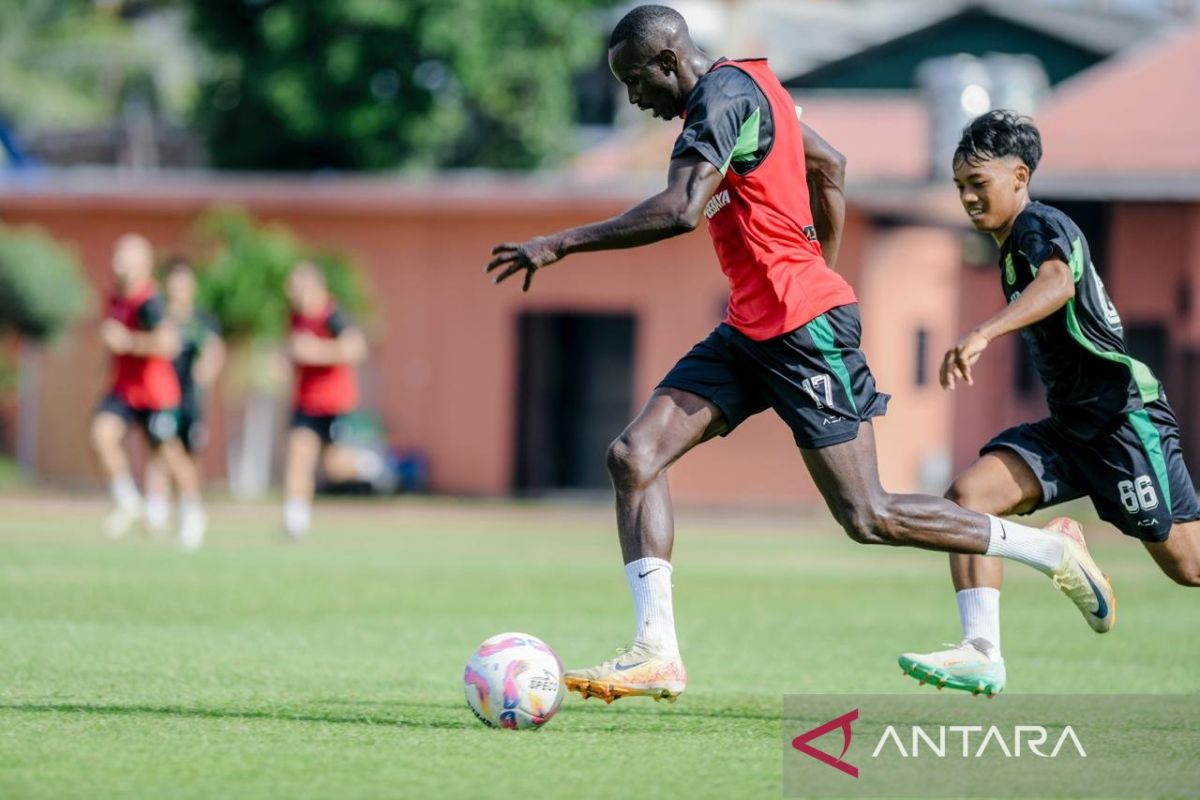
(728, 122)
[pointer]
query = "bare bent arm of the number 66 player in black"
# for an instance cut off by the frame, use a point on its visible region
(1049, 292)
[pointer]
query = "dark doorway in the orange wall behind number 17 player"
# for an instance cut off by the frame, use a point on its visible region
(575, 392)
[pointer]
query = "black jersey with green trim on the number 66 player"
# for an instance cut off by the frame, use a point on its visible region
(1079, 351)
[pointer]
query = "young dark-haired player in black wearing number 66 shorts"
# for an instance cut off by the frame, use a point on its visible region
(1111, 436)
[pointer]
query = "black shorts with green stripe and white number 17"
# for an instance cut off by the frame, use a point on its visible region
(815, 378)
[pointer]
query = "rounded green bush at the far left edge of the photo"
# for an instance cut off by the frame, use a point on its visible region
(43, 290)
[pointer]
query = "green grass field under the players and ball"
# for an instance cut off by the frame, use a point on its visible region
(333, 669)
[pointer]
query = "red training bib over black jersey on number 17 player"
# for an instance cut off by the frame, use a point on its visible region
(742, 121)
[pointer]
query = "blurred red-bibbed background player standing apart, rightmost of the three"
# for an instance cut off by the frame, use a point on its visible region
(325, 347)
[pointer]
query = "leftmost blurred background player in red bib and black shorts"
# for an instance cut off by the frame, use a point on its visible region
(145, 392)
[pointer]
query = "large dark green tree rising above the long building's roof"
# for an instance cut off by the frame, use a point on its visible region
(368, 85)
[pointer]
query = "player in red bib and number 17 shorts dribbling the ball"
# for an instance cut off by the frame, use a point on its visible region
(790, 341)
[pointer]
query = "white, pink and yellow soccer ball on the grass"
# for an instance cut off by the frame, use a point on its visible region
(515, 682)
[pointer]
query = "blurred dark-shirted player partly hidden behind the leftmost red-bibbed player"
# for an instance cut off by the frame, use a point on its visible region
(197, 366)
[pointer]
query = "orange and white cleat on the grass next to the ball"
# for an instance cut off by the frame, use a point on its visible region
(635, 672)
